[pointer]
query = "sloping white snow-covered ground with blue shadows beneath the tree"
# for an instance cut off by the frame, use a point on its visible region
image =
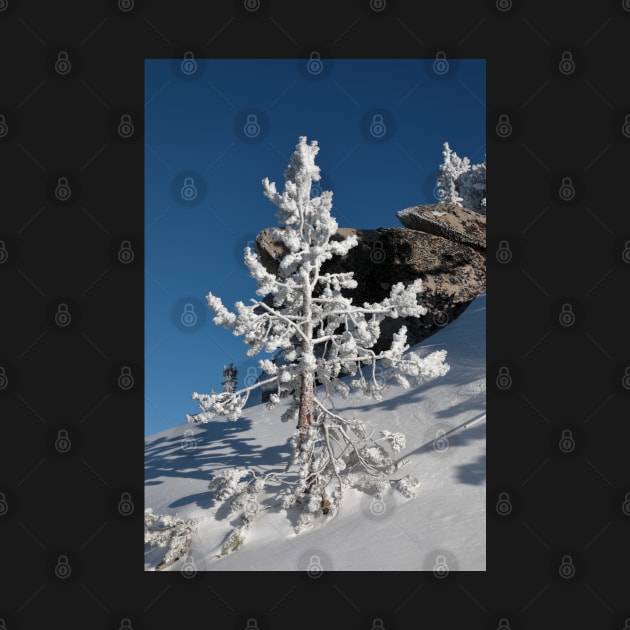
(441, 529)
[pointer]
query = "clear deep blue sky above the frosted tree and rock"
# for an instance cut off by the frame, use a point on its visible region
(214, 128)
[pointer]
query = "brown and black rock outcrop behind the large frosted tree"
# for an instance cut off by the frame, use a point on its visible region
(443, 244)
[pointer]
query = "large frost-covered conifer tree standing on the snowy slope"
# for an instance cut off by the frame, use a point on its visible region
(320, 336)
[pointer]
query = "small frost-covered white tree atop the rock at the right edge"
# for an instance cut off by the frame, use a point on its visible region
(460, 182)
